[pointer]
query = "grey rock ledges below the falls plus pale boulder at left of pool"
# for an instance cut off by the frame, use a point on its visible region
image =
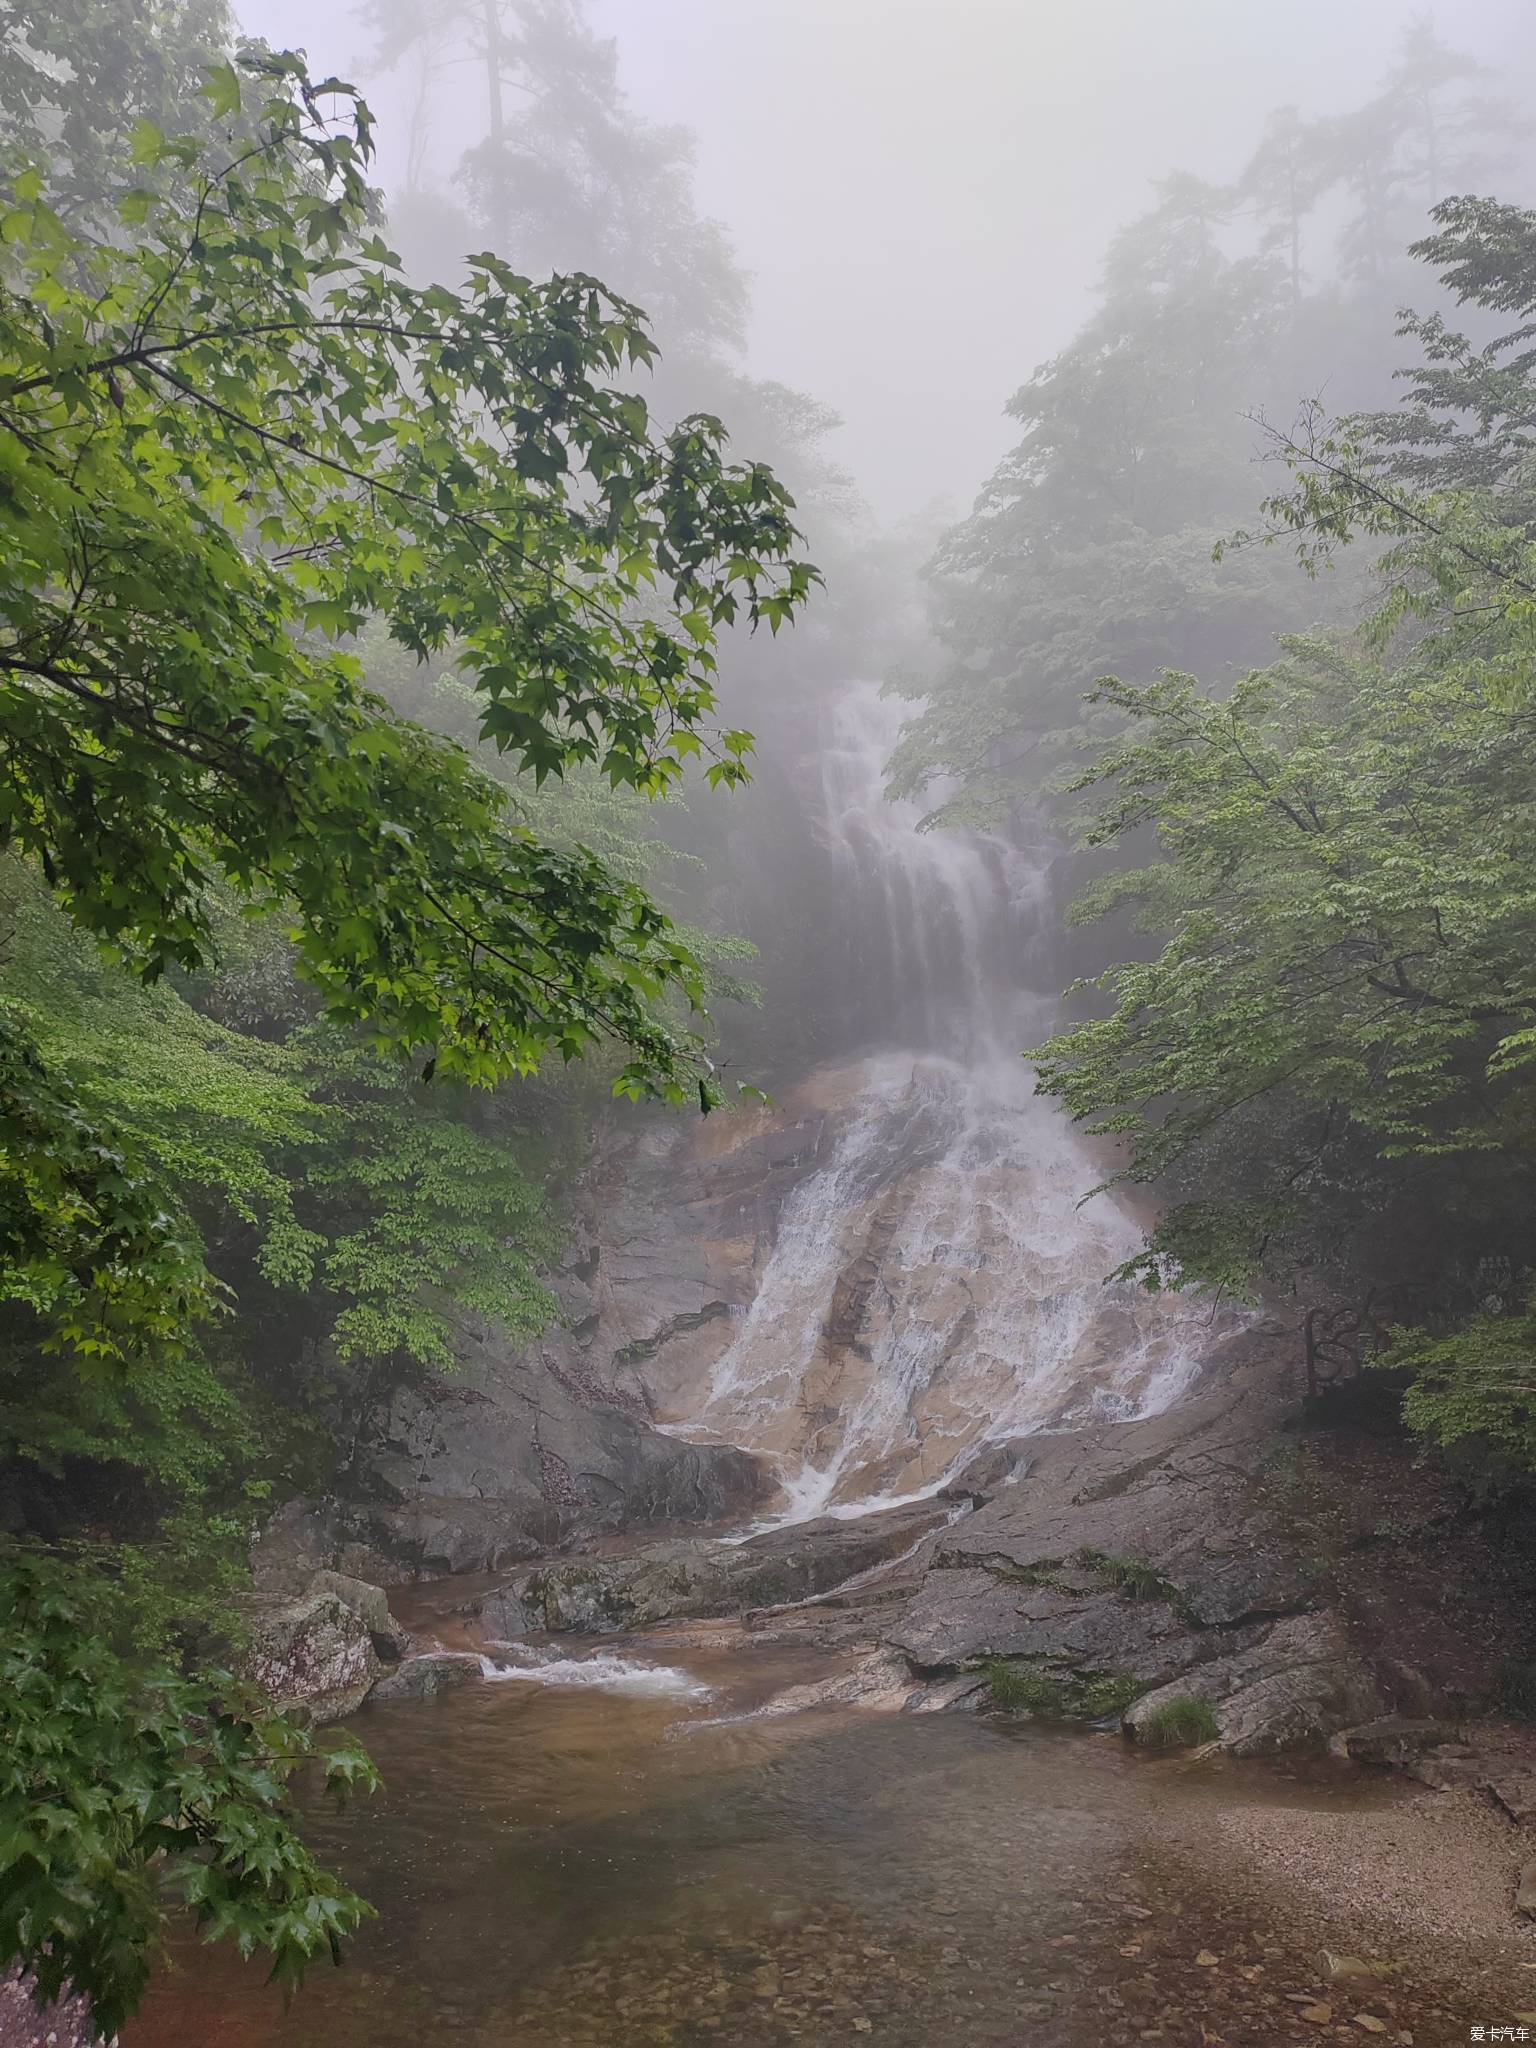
(1111, 1572)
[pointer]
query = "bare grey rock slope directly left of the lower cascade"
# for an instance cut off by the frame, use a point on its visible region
(523, 1453)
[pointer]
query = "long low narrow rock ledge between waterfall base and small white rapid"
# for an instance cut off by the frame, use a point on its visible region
(689, 1578)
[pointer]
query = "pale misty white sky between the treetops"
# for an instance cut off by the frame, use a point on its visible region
(923, 189)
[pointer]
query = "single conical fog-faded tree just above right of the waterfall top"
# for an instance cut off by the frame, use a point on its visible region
(1091, 546)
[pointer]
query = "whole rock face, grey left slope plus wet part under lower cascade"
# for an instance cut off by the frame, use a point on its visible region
(857, 1285)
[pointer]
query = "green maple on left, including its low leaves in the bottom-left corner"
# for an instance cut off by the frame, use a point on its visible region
(232, 441)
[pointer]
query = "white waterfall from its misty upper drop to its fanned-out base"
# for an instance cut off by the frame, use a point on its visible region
(935, 1283)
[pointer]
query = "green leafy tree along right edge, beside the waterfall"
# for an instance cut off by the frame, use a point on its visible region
(1332, 1054)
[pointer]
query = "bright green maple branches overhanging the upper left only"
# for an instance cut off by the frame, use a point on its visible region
(232, 443)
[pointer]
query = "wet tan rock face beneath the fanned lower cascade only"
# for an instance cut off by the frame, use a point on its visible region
(919, 1279)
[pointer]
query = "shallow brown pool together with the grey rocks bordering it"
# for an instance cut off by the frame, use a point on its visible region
(902, 1777)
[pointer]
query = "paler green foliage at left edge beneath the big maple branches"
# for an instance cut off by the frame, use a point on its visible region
(341, 1203)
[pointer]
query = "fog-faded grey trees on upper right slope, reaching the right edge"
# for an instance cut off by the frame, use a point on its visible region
(1095, 548)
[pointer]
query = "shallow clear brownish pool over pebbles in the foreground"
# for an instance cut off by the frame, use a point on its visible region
(632, 1871)
